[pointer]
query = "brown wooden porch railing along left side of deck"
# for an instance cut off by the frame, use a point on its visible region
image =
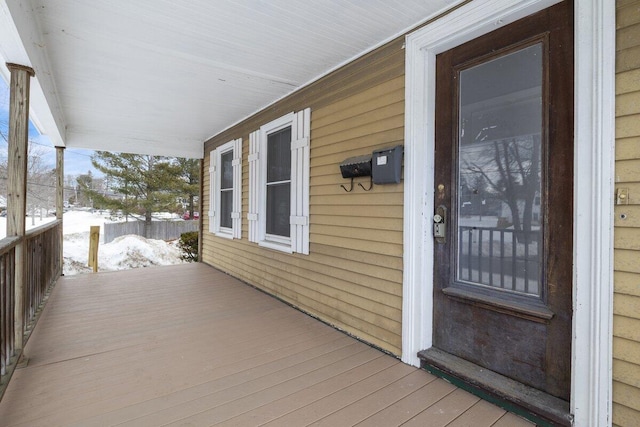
(42, 268)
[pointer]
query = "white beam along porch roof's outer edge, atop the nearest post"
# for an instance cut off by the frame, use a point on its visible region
(21, 43)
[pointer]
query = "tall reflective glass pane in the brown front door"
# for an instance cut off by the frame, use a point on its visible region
(499, 209)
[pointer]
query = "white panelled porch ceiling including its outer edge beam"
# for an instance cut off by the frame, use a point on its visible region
(162, 76)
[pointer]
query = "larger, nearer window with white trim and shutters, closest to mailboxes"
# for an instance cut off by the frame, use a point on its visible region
(279, 183)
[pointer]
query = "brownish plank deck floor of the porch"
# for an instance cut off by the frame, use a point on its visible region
(190, 346)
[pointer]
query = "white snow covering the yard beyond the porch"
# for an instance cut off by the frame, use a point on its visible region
(123, 253)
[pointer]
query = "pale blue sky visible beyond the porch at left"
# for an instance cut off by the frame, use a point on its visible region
(76, 161)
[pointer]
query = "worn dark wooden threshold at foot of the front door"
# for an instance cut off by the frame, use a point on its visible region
(531, 404)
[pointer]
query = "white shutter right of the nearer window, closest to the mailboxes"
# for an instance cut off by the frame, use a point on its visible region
(299, 220)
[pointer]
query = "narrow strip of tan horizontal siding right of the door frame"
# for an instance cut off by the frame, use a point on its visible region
(626, 319)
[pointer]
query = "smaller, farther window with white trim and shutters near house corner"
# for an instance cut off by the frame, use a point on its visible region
(225, 201)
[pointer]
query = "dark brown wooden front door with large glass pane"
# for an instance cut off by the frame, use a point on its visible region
(504, 191)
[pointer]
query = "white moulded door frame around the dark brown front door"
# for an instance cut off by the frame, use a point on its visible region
(594, 130)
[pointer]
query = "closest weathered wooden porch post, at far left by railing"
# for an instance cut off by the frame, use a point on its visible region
(17, 182)
